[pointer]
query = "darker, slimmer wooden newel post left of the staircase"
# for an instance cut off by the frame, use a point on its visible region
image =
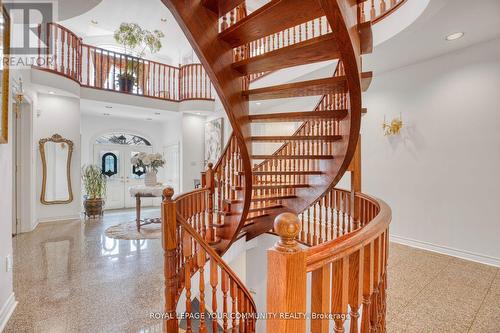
(169, 243)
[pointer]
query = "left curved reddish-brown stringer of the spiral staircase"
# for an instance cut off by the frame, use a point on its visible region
(200, 25)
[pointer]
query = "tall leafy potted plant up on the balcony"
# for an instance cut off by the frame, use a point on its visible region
(135, 41)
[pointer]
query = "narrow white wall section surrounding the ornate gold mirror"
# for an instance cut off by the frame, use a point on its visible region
(61, 115)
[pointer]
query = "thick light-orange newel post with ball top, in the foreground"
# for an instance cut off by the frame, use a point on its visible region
(286, 279)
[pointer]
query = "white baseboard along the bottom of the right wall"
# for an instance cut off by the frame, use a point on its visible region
(476, 257)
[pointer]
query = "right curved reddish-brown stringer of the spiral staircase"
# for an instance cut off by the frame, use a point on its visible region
(342, 17)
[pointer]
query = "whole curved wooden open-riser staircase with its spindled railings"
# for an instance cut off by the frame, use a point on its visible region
(245, 193)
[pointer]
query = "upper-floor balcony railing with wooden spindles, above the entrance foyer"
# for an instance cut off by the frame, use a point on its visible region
(98, 68)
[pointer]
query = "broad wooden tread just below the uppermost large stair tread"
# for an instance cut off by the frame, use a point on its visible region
(317, 49)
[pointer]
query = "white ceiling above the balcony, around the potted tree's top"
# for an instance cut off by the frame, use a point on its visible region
(109, 14)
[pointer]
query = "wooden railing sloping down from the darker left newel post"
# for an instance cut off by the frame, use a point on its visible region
(193, 269)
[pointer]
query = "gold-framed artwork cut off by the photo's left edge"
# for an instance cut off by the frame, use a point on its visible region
(4, 81)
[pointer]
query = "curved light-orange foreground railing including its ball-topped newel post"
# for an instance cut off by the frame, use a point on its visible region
(348, 274)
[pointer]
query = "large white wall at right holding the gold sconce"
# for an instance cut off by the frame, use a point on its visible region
(440, 176)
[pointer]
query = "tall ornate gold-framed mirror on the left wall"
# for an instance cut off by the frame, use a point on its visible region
(56, 155)
